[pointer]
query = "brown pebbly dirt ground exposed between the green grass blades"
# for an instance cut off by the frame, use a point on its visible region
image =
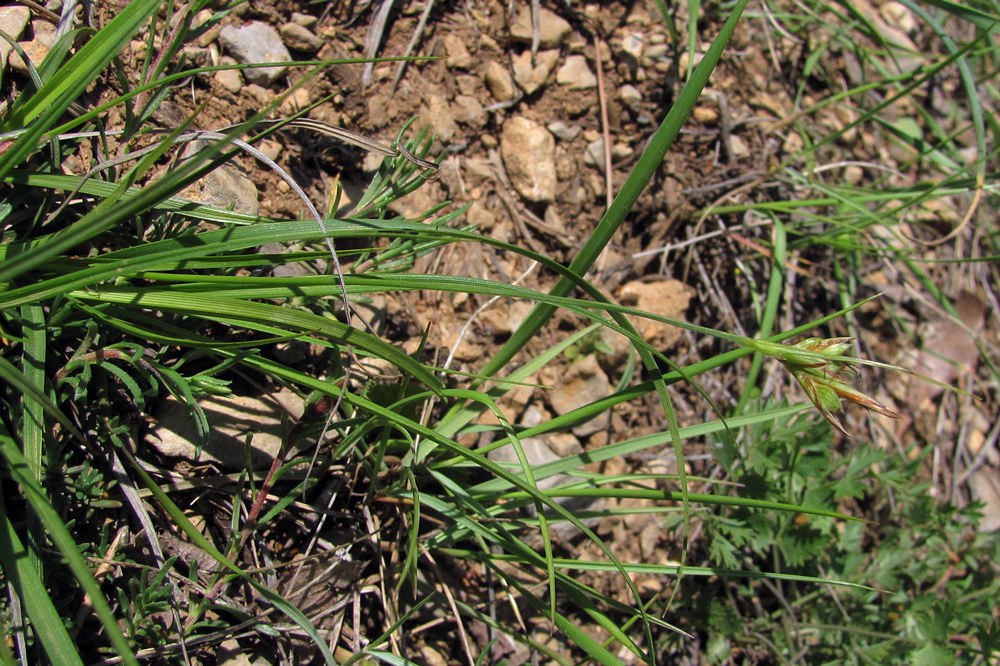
(599, 81)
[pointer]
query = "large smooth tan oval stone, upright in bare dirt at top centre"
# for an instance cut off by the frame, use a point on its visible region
(528, 152)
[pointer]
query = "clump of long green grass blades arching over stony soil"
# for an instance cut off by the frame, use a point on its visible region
(102, 318)
